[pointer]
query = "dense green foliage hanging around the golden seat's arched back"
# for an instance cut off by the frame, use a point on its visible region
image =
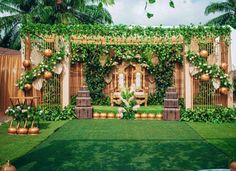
(168, 56)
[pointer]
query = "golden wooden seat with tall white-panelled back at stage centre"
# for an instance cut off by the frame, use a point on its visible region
(122, 81)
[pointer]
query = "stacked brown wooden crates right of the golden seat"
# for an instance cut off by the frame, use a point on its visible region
(171, 105)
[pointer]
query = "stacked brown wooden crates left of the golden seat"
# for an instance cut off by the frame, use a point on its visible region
(83, 107)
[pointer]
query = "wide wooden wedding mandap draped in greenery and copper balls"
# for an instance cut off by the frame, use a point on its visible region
(193, 62)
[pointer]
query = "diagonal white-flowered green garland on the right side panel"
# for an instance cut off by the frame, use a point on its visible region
(214, 71)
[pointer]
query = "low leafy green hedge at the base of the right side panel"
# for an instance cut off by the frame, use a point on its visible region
(214, 115)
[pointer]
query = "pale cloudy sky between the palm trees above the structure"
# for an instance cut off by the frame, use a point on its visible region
(132, 12)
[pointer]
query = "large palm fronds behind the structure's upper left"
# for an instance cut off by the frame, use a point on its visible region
(18, 12)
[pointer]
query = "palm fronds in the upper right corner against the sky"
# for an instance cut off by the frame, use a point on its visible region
(228, 8)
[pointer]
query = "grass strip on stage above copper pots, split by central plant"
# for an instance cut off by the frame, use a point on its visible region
(113, 109)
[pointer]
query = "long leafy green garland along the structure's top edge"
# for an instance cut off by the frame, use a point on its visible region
(122, 31)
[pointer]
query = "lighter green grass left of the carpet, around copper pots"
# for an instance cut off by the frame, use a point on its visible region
(14, 146)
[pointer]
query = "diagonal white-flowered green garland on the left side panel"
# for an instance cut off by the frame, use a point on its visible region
(47, 64)
